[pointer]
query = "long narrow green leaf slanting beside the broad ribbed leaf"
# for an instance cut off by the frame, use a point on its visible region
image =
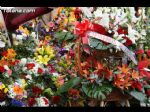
(70, 84)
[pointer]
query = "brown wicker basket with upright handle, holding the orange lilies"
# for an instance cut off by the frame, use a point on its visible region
(115, 95)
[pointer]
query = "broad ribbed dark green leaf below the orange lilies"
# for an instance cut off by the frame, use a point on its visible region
(96, 91)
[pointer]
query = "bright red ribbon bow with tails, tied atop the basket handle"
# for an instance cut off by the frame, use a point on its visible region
(85, 25)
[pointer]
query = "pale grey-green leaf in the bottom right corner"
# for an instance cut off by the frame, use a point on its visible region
(138, 95)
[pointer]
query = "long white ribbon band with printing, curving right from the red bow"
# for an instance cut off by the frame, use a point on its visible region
(107, 39)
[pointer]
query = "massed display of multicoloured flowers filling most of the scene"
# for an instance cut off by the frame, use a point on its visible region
(79, 58)
